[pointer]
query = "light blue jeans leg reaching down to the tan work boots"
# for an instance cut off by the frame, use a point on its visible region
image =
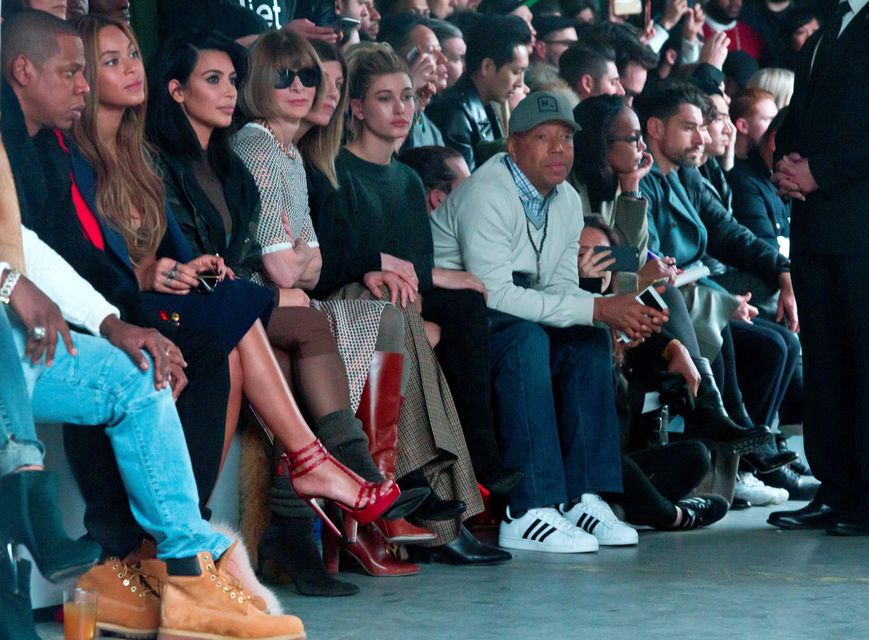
(101, 385)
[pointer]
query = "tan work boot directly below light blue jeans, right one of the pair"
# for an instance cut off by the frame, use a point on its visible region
(212, 605)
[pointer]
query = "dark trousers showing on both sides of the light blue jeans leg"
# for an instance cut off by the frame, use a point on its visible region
(202, 409)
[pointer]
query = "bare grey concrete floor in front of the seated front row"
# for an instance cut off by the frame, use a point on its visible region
(738, 579)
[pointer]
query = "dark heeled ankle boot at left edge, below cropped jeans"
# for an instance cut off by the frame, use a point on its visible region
(31, 517)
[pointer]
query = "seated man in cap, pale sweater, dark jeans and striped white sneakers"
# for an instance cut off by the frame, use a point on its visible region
(515, 224)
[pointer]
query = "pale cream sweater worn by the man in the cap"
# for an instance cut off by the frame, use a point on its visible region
(481, 228)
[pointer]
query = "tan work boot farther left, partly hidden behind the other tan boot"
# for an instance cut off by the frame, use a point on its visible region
(126, 604)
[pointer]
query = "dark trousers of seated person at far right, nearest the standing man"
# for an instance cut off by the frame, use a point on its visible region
(766, 357)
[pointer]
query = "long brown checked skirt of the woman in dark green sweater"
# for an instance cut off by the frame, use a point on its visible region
(430, 435)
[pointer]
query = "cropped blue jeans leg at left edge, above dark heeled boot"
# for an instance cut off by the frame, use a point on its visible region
(18, 444)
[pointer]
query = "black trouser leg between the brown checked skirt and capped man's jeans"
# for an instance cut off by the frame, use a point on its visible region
(464, 355)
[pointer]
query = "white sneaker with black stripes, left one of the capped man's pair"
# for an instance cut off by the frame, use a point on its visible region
(544, 529)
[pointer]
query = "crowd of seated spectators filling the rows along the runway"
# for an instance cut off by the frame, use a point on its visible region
(386, 238)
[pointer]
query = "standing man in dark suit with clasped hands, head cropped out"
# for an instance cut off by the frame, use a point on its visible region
(824, 168)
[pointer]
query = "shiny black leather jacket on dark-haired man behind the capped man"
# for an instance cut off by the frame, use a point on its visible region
(464, 120)
